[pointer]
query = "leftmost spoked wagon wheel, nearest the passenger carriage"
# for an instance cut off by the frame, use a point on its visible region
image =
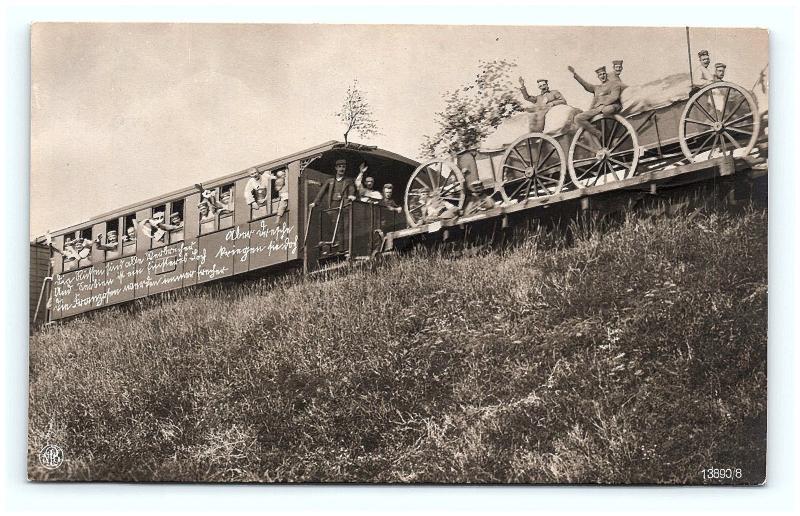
(436, 183)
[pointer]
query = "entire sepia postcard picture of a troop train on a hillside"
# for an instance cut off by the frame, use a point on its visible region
(398, 254)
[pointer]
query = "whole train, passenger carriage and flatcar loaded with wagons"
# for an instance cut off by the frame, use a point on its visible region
(273, 215)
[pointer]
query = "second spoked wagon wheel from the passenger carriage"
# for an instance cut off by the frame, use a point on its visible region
(533, 166)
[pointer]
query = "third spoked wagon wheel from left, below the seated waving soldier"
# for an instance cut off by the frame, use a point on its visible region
(611, 156)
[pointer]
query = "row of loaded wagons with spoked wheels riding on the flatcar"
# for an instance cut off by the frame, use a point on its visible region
(675, 127)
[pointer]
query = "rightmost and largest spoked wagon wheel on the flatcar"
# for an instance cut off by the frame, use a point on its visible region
(719, 120)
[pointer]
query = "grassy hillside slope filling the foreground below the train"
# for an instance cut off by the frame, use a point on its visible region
(633, 354)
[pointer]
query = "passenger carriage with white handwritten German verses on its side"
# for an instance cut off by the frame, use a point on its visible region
(220, 229)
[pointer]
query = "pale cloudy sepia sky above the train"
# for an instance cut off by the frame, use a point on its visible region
(124, 112)
